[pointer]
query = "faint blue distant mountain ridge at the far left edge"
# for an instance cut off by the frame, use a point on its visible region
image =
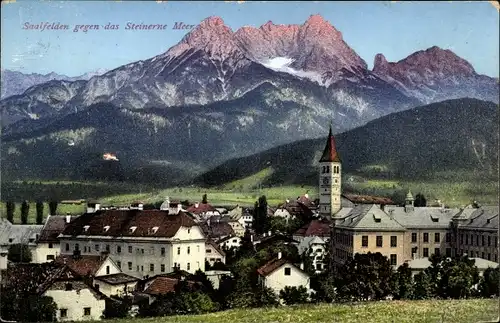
(15, 82)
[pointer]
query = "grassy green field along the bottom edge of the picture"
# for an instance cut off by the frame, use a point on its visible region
(452, 311)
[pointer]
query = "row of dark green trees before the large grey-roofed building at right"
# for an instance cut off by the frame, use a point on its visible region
(371, 277)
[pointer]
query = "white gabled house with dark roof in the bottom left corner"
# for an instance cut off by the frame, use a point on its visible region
(75, 298)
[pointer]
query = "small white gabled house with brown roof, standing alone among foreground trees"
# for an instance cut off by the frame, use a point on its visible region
(279, 273)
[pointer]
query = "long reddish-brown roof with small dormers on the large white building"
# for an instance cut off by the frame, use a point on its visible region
(120, 223)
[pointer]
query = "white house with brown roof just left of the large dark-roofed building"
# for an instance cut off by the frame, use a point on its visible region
(48, 247)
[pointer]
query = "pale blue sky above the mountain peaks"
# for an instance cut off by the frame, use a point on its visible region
(398, 29)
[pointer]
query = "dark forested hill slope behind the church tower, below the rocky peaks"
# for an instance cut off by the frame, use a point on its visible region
(451, 136)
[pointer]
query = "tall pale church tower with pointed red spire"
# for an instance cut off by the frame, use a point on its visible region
(330, 175)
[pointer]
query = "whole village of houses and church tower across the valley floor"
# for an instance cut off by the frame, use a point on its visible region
(89, 264)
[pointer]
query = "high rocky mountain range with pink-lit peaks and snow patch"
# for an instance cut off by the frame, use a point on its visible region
(220, 94)
